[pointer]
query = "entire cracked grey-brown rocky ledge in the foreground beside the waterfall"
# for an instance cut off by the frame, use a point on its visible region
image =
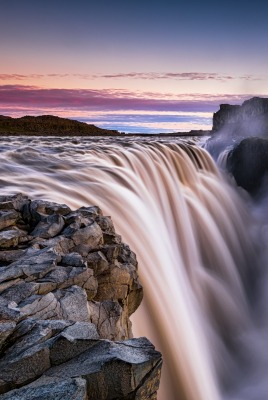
(68, 286)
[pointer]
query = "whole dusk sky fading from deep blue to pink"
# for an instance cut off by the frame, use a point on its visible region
(141, 66)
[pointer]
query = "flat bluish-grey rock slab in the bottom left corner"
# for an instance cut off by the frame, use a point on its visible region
(50, 389)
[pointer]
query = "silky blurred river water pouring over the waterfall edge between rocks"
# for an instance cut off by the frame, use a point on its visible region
(189, 229)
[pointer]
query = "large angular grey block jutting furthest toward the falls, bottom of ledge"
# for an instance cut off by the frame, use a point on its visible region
(115, 370)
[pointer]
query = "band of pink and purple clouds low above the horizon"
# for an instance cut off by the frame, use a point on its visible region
(116, 109)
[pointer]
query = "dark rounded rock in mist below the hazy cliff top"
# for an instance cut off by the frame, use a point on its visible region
(248, 163)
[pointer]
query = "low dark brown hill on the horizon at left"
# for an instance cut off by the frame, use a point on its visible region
(49, 125)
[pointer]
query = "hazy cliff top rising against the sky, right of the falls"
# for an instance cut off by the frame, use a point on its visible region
(251, 117)
